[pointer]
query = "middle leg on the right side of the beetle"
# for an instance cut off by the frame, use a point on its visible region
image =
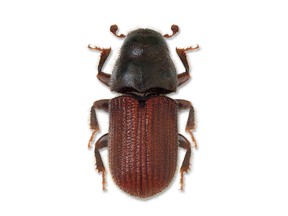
(184, 104)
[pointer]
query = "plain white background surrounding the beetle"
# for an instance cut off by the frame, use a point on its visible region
(238, 87)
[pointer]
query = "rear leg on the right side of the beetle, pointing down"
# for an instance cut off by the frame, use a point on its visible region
(184, 143)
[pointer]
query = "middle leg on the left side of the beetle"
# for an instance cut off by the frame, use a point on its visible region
(99, 105)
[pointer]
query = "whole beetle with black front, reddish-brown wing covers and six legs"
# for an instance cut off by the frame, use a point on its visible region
(143, 136)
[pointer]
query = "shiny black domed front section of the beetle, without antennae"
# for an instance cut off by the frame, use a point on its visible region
(144, 65)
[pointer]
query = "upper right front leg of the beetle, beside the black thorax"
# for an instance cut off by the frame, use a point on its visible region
(183, 77)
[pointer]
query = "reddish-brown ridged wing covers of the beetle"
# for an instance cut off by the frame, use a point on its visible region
(143, 144)
